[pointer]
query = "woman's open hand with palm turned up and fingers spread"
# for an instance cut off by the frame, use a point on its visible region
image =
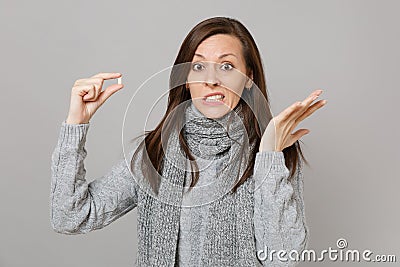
(278, 134)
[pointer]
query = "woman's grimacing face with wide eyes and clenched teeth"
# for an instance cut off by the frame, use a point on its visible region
(218, 68)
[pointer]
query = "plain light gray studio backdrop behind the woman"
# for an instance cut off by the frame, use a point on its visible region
(350, 49)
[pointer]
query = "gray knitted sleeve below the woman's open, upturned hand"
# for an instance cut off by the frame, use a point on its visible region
(279, 214)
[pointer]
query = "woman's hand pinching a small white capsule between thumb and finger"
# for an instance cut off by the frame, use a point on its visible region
(87, 96)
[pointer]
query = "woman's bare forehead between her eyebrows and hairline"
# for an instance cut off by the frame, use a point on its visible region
(219, 44)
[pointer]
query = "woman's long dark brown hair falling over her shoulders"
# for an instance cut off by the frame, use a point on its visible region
(255, 120)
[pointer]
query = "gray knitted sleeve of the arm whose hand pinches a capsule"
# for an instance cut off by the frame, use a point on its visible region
(77, 206)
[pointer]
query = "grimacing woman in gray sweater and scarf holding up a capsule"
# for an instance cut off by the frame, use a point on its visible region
(255, 201)
